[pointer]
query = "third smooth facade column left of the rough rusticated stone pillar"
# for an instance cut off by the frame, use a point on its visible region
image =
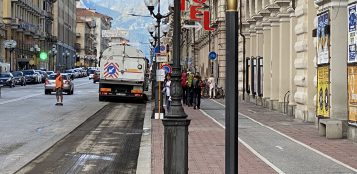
(266, 56)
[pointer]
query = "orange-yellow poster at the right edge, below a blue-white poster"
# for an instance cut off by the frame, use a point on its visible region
(352, 93)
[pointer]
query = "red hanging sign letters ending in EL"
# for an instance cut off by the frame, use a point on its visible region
(195, 12)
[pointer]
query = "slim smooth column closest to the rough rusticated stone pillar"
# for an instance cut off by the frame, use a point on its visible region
(292, 86)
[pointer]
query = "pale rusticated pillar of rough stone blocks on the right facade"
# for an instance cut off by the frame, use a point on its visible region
(305, 61)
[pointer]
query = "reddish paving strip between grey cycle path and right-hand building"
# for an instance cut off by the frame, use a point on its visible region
(307, 133)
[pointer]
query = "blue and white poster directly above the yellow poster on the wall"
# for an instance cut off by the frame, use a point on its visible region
(323, 39)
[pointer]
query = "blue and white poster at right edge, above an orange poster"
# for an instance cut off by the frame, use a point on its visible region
(352, 33)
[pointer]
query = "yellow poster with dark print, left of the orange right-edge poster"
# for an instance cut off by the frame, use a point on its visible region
(323, 92)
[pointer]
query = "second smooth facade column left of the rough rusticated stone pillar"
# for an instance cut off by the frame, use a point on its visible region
(275, 48)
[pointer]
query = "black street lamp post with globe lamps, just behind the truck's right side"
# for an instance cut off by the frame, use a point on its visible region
(151, 6)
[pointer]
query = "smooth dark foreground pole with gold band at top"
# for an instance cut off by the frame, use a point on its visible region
(231, 120)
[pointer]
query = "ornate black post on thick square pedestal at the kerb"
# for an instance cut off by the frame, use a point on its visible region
(176, 122)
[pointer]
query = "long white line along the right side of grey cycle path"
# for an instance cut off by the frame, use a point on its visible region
(296, 141)
